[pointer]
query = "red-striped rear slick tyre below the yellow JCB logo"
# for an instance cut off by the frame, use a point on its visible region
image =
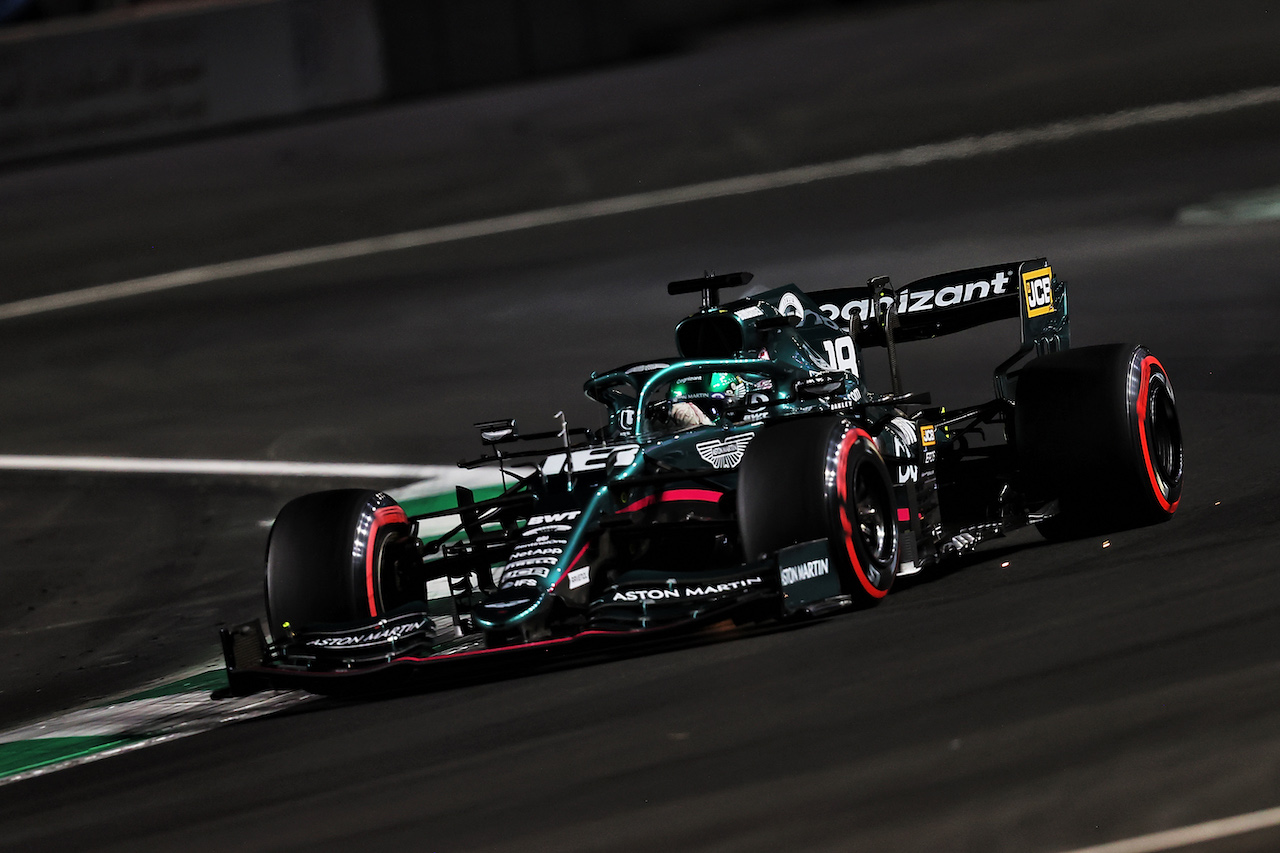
(1098, 430)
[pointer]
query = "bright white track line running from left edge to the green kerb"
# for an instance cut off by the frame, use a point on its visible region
(225, 467)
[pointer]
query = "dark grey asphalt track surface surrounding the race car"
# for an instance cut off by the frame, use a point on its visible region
(1082, 694)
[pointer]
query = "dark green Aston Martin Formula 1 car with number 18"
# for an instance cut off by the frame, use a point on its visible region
(753, 478)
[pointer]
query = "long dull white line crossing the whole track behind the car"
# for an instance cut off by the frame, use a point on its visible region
(962, 149)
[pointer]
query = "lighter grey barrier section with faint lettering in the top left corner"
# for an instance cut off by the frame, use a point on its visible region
(81, 84)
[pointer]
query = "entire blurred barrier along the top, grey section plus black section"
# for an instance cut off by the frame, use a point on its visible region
(159, 71)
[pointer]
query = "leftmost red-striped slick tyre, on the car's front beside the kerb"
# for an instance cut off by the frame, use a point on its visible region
(326, 559)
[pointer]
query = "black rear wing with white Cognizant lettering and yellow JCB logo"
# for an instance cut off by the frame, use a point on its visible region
(930, 308)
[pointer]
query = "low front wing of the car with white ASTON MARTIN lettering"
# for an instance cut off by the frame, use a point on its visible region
(396, 651)
